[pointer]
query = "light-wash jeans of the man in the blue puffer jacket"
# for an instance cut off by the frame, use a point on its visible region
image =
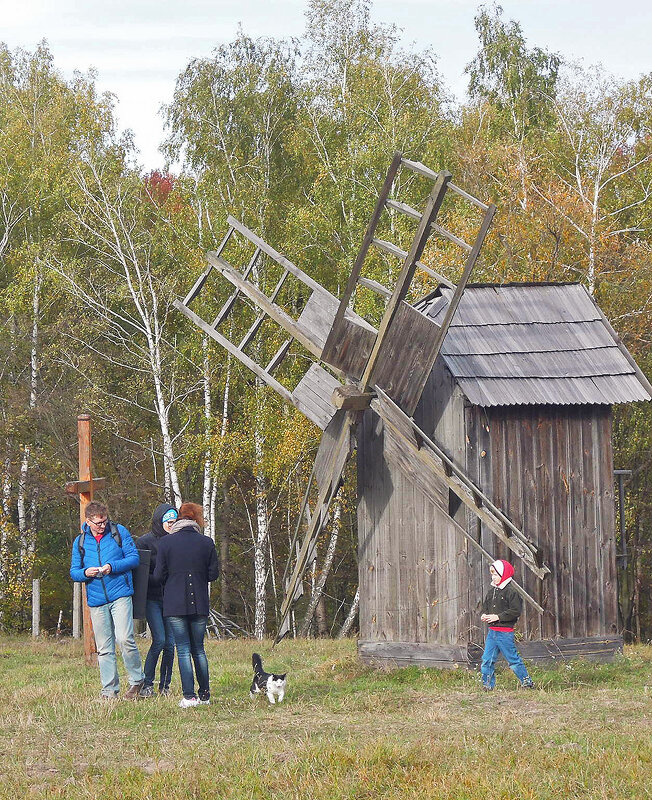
(113, 623)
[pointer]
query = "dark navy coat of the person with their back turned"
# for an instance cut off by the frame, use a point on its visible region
(186, 563)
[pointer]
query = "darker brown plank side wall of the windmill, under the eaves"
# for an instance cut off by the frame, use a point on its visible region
(551, 471)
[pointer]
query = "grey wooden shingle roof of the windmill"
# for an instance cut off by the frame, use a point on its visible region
(517, 344)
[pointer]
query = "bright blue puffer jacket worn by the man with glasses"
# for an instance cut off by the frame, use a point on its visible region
(118, 583)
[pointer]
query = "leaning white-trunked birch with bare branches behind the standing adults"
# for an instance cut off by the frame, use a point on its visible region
(126, 299)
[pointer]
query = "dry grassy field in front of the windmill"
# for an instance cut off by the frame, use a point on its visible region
(345, 731)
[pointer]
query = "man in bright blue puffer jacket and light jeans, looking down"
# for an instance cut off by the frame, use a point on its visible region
(103, 560)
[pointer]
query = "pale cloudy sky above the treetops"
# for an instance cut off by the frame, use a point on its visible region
(138, 47)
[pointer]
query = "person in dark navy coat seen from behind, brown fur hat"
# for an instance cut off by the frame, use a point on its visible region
(186, 563)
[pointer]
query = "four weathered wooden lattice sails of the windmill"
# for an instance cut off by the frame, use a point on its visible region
(383, 368)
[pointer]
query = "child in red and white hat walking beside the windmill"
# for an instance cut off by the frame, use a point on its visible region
(501, 609)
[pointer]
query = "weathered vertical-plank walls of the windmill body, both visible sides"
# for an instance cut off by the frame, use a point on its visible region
(548, 467)
